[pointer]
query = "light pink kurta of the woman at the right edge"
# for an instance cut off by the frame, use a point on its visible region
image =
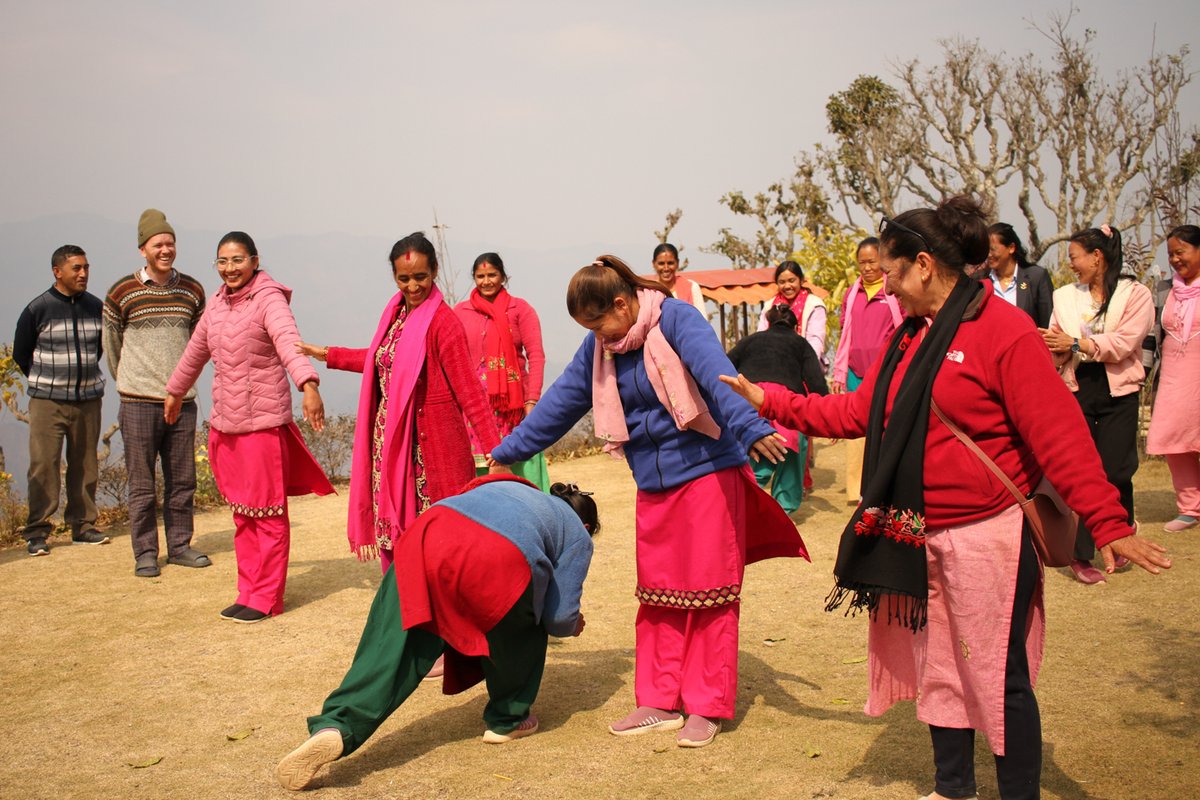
(1175, 426)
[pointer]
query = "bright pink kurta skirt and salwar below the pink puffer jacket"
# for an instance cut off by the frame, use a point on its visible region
(256, 473)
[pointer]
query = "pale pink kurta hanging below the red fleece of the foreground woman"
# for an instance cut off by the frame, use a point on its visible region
(955, 667)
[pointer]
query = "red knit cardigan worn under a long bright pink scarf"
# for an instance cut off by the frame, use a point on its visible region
(443, 395)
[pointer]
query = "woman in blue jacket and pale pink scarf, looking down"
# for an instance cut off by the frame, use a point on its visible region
(650, 371)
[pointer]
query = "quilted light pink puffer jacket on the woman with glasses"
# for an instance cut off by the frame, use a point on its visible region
(251, 340)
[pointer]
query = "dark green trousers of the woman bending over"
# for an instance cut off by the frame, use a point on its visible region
(392, 663)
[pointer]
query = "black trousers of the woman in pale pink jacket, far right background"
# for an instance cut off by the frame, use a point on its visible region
(1114, 426)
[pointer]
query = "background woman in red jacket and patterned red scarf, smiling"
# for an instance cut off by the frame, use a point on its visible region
(505, 341)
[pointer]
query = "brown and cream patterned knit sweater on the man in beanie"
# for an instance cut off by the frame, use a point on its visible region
(147, 328)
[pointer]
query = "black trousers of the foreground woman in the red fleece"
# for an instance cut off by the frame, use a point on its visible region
(1019, 771)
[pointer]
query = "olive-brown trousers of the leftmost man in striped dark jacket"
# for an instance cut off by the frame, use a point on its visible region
(51, 424)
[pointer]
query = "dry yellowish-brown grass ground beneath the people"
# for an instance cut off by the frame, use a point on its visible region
(101, 671)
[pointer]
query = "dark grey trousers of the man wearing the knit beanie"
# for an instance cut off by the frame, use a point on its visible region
(147, 438)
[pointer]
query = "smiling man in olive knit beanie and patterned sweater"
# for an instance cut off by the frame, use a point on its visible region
(149, 317)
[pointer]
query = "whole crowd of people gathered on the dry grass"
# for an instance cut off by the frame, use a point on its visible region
(479, 569)
